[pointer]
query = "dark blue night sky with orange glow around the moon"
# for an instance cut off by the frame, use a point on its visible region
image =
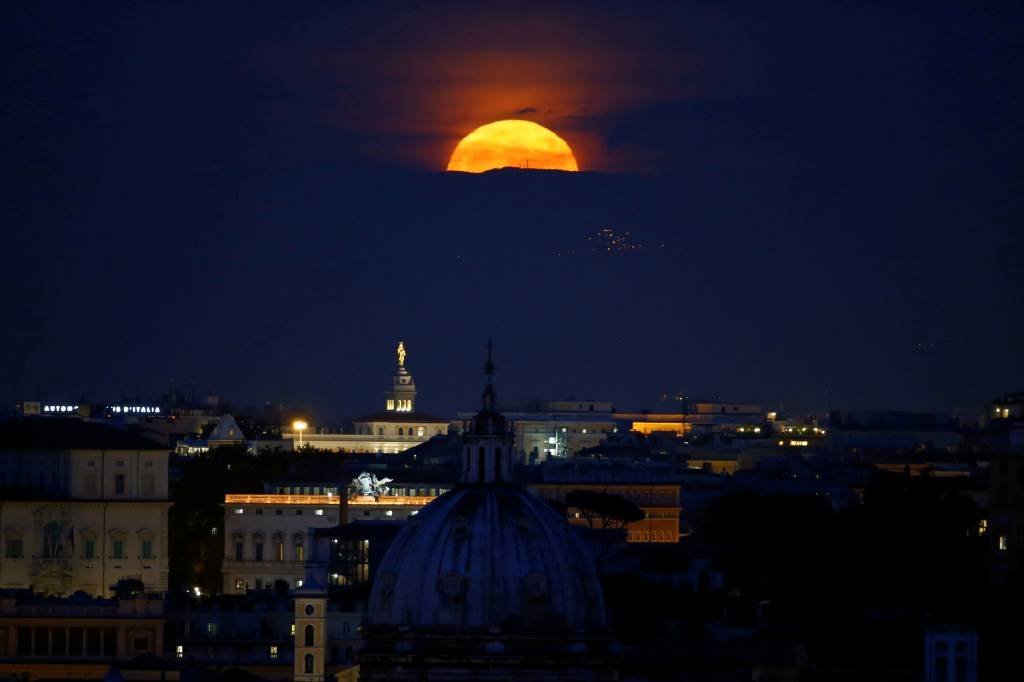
(824, 202)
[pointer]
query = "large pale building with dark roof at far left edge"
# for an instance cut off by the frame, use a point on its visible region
(83, 505)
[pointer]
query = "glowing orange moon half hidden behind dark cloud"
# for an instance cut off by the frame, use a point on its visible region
(513, 143)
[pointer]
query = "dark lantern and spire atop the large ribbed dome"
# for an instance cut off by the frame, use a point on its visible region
(488, 456)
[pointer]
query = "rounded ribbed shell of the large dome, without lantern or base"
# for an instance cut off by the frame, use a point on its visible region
(483, 558)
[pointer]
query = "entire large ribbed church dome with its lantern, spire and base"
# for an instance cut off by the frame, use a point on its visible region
(487, 582)
